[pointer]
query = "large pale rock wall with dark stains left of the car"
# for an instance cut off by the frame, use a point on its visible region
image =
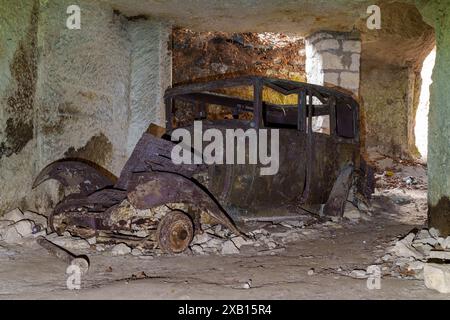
(85, 93)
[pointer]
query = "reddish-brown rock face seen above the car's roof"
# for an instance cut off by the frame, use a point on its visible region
(200, 56)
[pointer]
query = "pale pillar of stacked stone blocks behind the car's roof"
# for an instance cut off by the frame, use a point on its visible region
(332, 58)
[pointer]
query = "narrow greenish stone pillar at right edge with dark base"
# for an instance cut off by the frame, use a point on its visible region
(436, 14)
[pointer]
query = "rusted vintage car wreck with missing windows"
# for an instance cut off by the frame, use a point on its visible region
(163, 204)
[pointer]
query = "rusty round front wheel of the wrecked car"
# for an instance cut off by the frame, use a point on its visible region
(175, 232)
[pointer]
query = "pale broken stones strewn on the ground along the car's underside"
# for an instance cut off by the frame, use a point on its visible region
(266, 238)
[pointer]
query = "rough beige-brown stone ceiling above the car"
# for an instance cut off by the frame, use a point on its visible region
(404, 39)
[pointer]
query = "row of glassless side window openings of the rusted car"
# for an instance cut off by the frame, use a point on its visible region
(331, 115)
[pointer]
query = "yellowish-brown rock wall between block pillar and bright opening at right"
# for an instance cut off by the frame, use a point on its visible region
(391, 59)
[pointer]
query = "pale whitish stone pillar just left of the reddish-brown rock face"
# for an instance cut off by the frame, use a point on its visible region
(151, 74)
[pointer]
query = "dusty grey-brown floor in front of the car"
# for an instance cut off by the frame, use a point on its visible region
(330, 249)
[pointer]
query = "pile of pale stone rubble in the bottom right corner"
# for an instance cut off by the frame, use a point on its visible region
(423, 254)
